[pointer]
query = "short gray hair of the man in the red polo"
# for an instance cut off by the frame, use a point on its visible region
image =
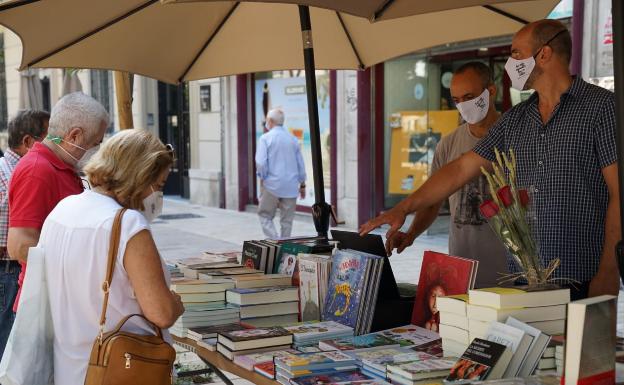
(77, 110)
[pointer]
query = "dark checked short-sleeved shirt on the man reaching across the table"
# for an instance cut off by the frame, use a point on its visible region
(561, 163)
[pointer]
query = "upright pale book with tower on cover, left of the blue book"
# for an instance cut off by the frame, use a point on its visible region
(314, 272)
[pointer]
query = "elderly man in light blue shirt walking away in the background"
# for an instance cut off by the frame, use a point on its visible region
(282, 175)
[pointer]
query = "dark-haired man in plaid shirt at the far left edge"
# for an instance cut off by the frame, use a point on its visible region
(28, 127)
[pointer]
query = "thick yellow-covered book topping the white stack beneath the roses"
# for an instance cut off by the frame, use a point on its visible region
(518, 297)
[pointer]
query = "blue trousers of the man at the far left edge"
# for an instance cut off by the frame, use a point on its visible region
(9, 271)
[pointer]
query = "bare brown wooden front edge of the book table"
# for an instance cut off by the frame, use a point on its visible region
(218, 362)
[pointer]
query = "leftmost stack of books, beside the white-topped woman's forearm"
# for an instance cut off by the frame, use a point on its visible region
(204, 305)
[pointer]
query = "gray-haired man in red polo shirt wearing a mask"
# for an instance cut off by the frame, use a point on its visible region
(49, 172)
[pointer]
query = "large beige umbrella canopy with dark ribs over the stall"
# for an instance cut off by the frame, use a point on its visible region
(195, 40)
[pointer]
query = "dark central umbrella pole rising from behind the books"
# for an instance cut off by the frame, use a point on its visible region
(320, 210)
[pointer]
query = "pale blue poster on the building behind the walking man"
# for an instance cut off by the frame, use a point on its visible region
(289, 95)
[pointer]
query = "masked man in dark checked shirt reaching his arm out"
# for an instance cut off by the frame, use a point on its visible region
(564, 139)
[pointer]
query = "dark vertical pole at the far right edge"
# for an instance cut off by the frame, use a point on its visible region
(617, 12)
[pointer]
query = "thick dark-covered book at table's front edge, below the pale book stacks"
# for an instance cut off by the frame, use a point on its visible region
(255, 338)
